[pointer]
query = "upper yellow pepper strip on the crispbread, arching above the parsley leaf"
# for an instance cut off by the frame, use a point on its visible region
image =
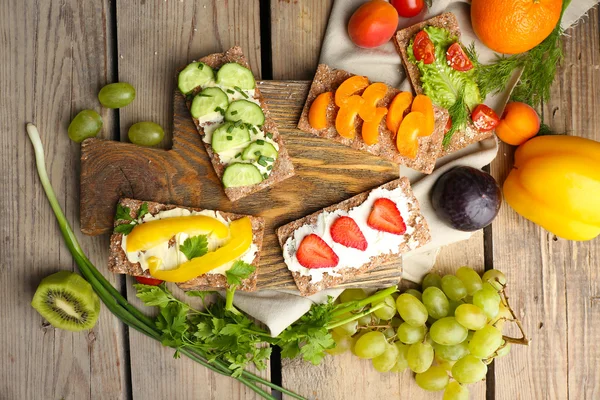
(149, 234)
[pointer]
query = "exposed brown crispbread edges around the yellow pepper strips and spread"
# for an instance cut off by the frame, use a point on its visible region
(118, 262)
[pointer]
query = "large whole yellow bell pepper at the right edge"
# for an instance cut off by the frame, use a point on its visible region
(556, 184)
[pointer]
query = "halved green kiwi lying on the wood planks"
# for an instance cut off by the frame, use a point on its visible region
(67, 301)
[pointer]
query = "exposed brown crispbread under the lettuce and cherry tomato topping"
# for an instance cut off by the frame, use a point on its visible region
(402, 40)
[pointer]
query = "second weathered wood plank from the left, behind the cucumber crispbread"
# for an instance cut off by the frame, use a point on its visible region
(155, 38)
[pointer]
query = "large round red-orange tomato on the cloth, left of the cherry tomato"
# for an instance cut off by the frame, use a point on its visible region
(373, 24)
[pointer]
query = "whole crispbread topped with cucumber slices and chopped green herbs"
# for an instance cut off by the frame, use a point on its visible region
(240, 137)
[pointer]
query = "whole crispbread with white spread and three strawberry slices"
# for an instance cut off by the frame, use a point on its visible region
(353, 237)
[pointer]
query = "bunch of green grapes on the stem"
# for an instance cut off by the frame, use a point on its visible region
(447, 333)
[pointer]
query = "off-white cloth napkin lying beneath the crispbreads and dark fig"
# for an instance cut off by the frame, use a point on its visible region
(279, 309)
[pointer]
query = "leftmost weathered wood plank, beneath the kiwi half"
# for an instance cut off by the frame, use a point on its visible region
(55, 58)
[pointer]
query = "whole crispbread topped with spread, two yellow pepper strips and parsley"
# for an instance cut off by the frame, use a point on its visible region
(174, 246)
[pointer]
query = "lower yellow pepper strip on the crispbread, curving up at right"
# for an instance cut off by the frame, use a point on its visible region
(240, 242)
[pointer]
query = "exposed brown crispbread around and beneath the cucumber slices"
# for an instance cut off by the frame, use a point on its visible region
(283, 168)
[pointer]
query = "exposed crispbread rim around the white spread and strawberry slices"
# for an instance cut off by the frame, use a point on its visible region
(417, 238)
